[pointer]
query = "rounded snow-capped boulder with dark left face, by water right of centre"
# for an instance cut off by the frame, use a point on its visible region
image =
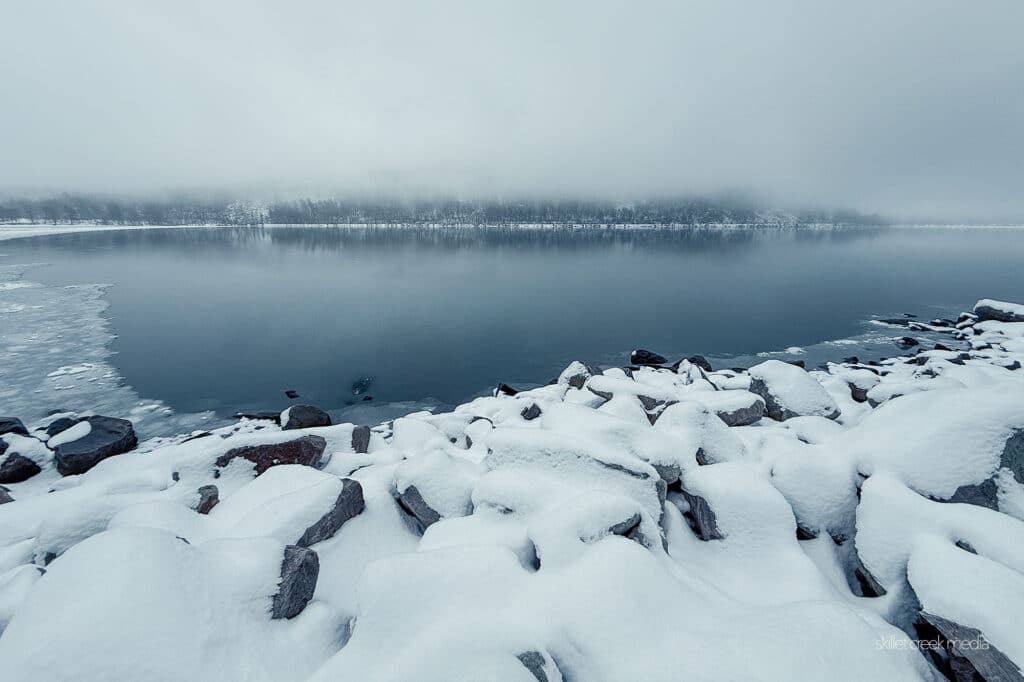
(790, 392)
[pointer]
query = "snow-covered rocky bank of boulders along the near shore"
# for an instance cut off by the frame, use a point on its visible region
(642, 524)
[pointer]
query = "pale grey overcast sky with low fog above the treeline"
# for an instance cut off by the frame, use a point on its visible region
(913, 108)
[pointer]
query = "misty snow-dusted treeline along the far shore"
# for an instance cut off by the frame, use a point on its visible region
(187, 211)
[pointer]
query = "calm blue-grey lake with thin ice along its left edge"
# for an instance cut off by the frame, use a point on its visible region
(227, 320)
